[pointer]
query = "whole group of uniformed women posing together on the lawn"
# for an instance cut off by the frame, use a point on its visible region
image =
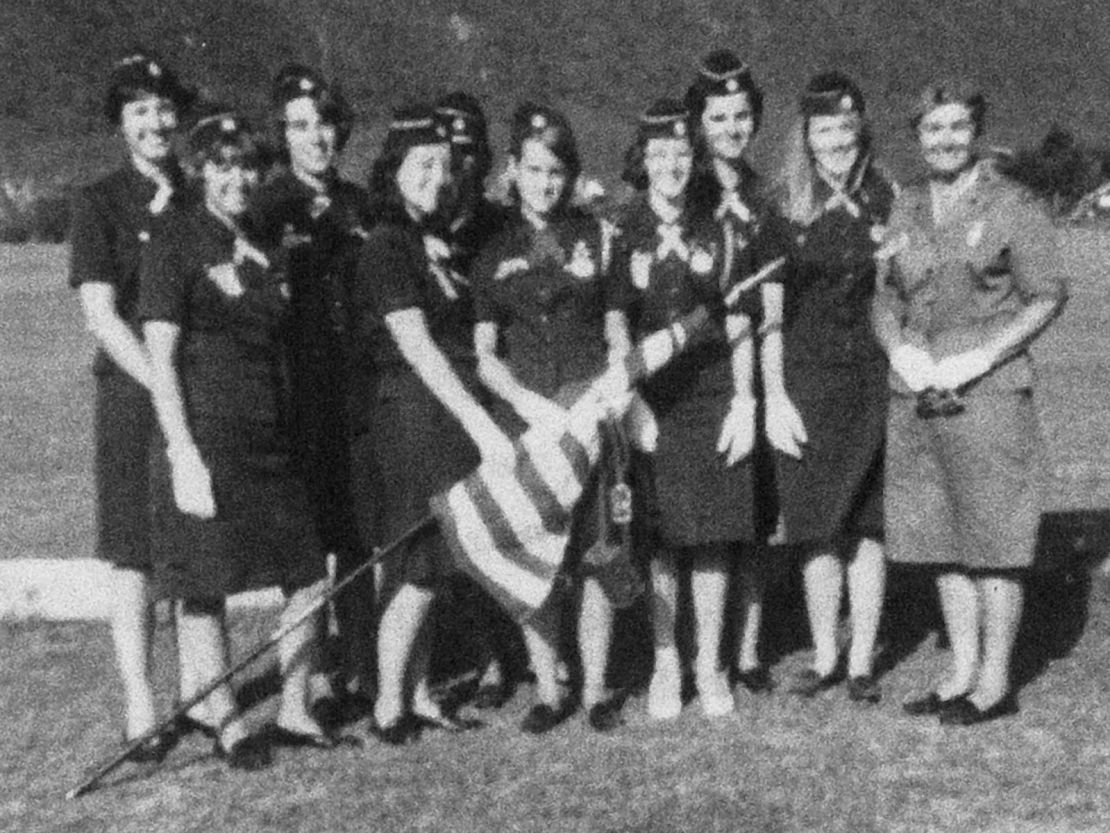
(290, 367)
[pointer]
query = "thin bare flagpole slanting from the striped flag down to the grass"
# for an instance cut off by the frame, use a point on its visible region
(112, 765)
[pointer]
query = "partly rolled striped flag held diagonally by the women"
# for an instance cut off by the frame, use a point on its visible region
(509, 529)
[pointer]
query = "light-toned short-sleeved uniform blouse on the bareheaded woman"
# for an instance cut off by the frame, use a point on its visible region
(960, 283)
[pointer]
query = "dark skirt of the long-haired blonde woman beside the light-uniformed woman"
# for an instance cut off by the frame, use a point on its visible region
(835, 491)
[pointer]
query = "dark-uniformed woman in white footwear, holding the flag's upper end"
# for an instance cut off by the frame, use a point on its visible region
(697, 419)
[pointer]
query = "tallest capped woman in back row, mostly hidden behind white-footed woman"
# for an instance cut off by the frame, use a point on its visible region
(726, 108)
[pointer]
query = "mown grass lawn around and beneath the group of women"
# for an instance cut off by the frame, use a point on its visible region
(778, 765)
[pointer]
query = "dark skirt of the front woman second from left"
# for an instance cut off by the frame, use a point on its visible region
(264, 534)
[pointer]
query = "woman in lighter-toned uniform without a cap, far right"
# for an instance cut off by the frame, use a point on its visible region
(975, 277)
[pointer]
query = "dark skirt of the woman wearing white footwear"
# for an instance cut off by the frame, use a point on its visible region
(692, 497)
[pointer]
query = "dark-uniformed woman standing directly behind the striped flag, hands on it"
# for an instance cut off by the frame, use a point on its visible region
(542, 299)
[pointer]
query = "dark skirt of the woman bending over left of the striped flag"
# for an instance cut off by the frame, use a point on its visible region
(416, 449)
